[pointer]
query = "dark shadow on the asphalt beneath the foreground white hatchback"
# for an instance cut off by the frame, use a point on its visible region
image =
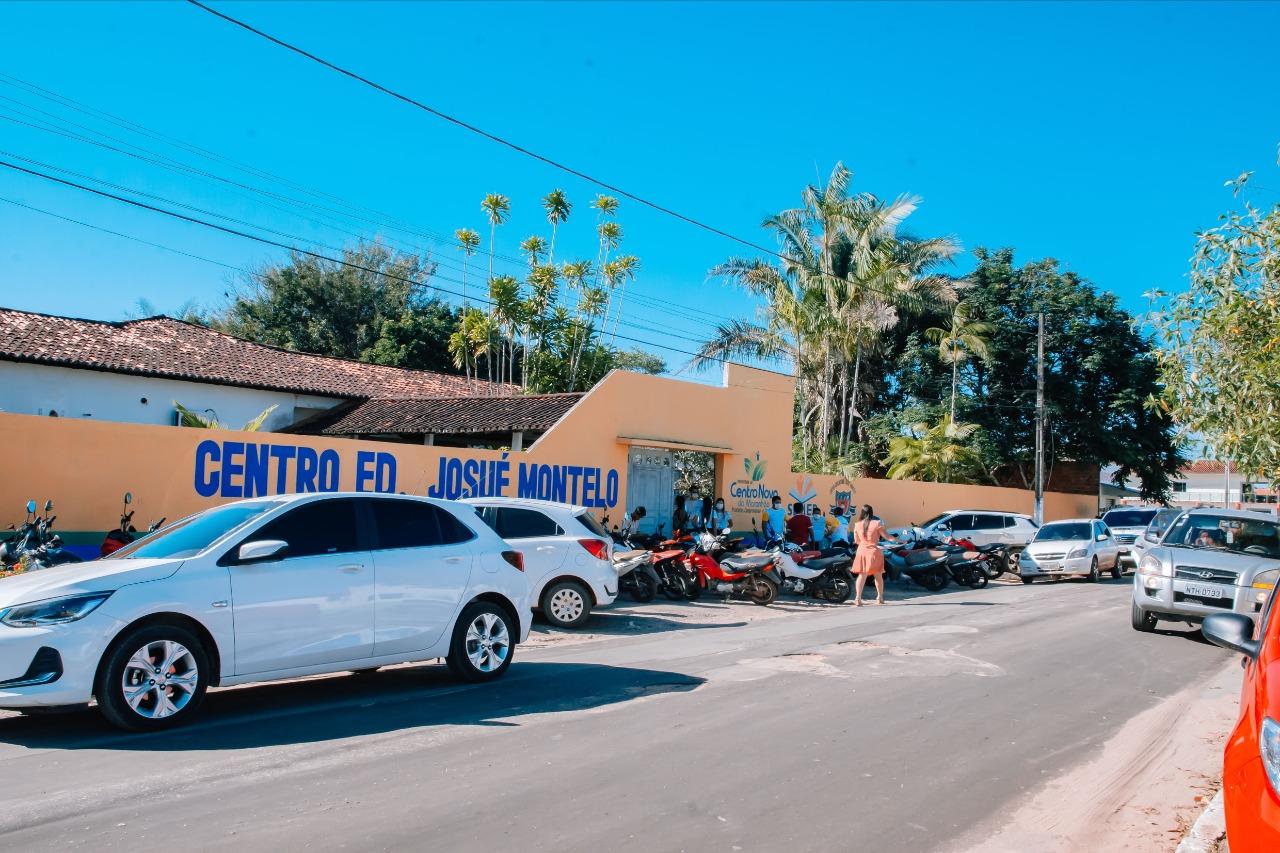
(348, 706)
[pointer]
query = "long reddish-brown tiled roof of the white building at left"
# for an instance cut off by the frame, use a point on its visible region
(170, 349)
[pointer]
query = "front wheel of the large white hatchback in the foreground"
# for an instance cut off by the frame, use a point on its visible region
(153, 678)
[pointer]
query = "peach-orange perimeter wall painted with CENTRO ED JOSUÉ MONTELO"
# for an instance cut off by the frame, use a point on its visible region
(86, 466)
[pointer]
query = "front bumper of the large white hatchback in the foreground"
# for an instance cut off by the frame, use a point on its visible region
(80, 646)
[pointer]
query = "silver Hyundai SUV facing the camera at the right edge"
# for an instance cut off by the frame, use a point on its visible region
(1210, 562)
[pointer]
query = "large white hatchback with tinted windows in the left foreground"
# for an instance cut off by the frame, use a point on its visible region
(259, 591)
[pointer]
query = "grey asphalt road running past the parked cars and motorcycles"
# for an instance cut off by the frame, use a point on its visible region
(899, 728)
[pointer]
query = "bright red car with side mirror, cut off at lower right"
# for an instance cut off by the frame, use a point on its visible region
(1251, 763)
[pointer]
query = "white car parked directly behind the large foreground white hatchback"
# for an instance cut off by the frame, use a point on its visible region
(568, 555)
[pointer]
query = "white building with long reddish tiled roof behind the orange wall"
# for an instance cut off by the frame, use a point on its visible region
(135, 372)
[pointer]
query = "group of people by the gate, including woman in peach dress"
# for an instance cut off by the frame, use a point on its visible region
(806, 530)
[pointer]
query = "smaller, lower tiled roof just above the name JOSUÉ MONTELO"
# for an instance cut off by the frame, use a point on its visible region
(447, 416)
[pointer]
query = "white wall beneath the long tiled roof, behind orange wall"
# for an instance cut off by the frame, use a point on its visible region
(38, 390)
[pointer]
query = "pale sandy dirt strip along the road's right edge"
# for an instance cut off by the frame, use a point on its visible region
(1146, 788)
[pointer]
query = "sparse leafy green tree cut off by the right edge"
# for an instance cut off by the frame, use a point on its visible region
(1219, 354)
